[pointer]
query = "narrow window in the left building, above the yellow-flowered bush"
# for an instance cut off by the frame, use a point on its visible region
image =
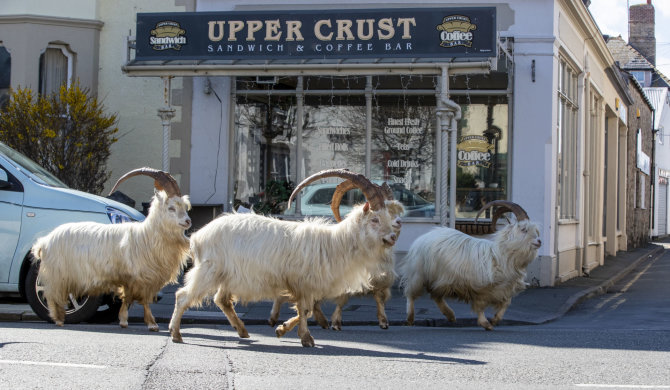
(56, 64)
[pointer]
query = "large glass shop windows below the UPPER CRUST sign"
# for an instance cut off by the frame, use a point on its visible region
(384, 126)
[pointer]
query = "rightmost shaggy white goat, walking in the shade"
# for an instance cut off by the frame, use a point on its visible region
(482, 272)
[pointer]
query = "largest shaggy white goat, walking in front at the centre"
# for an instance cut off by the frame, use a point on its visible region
(250, 257)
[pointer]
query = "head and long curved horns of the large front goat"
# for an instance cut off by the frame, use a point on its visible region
(378, 217)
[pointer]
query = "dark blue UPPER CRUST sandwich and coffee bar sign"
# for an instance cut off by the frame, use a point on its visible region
(318, 34)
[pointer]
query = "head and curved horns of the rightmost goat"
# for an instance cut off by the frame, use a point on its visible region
(521, 235)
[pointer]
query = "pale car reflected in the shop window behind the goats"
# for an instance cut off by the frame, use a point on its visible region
(315, 200)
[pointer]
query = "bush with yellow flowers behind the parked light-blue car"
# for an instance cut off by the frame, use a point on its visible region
(68, 133)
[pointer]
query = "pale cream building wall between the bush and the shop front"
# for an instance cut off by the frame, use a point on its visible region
(135, 99)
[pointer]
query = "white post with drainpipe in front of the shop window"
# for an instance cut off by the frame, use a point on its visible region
(448, 113)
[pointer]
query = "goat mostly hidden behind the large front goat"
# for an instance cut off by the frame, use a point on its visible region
(380, 279)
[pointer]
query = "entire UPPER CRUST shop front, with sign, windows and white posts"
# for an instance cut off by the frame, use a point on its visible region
(373, 91)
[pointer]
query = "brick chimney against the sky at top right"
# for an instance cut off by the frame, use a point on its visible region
(641, 27)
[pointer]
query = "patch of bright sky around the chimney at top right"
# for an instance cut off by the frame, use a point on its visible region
(612, 19)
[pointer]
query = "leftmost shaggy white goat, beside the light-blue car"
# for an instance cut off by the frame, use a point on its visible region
(133, 260)
